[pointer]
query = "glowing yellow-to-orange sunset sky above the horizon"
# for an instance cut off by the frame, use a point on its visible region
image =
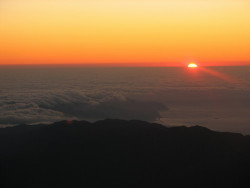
(157, 32)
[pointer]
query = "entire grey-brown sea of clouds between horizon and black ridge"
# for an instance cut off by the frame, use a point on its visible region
(171, 96)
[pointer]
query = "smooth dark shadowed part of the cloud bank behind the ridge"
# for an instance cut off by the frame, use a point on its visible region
(125, 108)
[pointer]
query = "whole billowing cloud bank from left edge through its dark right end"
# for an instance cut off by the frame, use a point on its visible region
(75, 105)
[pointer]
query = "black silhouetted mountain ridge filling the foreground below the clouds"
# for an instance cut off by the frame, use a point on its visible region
(116, 153)
